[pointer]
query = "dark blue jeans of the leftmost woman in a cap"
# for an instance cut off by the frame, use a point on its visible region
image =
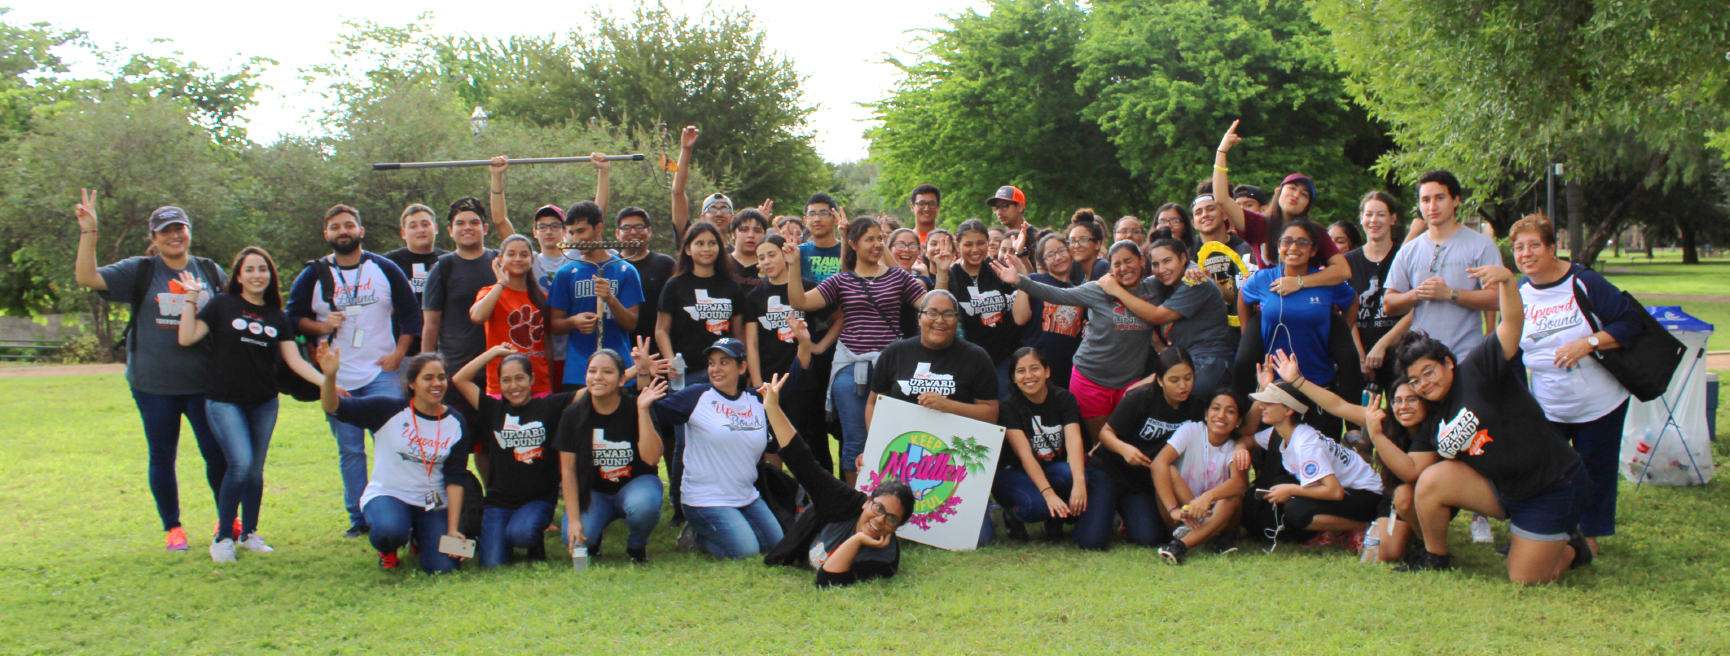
(162, 432)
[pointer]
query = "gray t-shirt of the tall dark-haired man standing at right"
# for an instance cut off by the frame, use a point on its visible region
(1423, 259)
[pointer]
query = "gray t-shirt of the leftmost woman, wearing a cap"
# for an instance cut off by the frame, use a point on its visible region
(160, 366)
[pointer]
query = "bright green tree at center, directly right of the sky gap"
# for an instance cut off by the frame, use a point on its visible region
(992, 101)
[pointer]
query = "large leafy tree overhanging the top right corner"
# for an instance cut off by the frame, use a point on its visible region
(1490, 89)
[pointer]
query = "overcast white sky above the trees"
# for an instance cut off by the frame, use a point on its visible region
(835, 46)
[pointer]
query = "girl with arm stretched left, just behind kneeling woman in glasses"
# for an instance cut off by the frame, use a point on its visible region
(1395, 524)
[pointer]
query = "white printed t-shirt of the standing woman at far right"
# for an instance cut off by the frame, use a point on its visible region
(1553, 321)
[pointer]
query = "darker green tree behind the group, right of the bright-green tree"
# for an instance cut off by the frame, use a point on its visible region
(1169, 79)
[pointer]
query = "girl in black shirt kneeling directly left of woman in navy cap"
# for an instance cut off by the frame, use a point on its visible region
(610, 449)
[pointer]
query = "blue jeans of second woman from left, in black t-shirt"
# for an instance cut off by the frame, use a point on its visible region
(245, 437)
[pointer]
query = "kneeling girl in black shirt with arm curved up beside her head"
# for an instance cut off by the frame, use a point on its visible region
(523, 477)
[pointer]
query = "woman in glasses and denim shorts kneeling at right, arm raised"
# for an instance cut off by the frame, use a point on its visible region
(1503, 458)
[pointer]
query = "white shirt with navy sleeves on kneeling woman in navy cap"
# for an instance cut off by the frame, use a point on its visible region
(724, 442)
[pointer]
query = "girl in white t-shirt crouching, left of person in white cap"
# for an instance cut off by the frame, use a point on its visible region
(1201, 477)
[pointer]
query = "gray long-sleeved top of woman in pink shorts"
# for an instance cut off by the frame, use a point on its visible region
(1117, 342)
